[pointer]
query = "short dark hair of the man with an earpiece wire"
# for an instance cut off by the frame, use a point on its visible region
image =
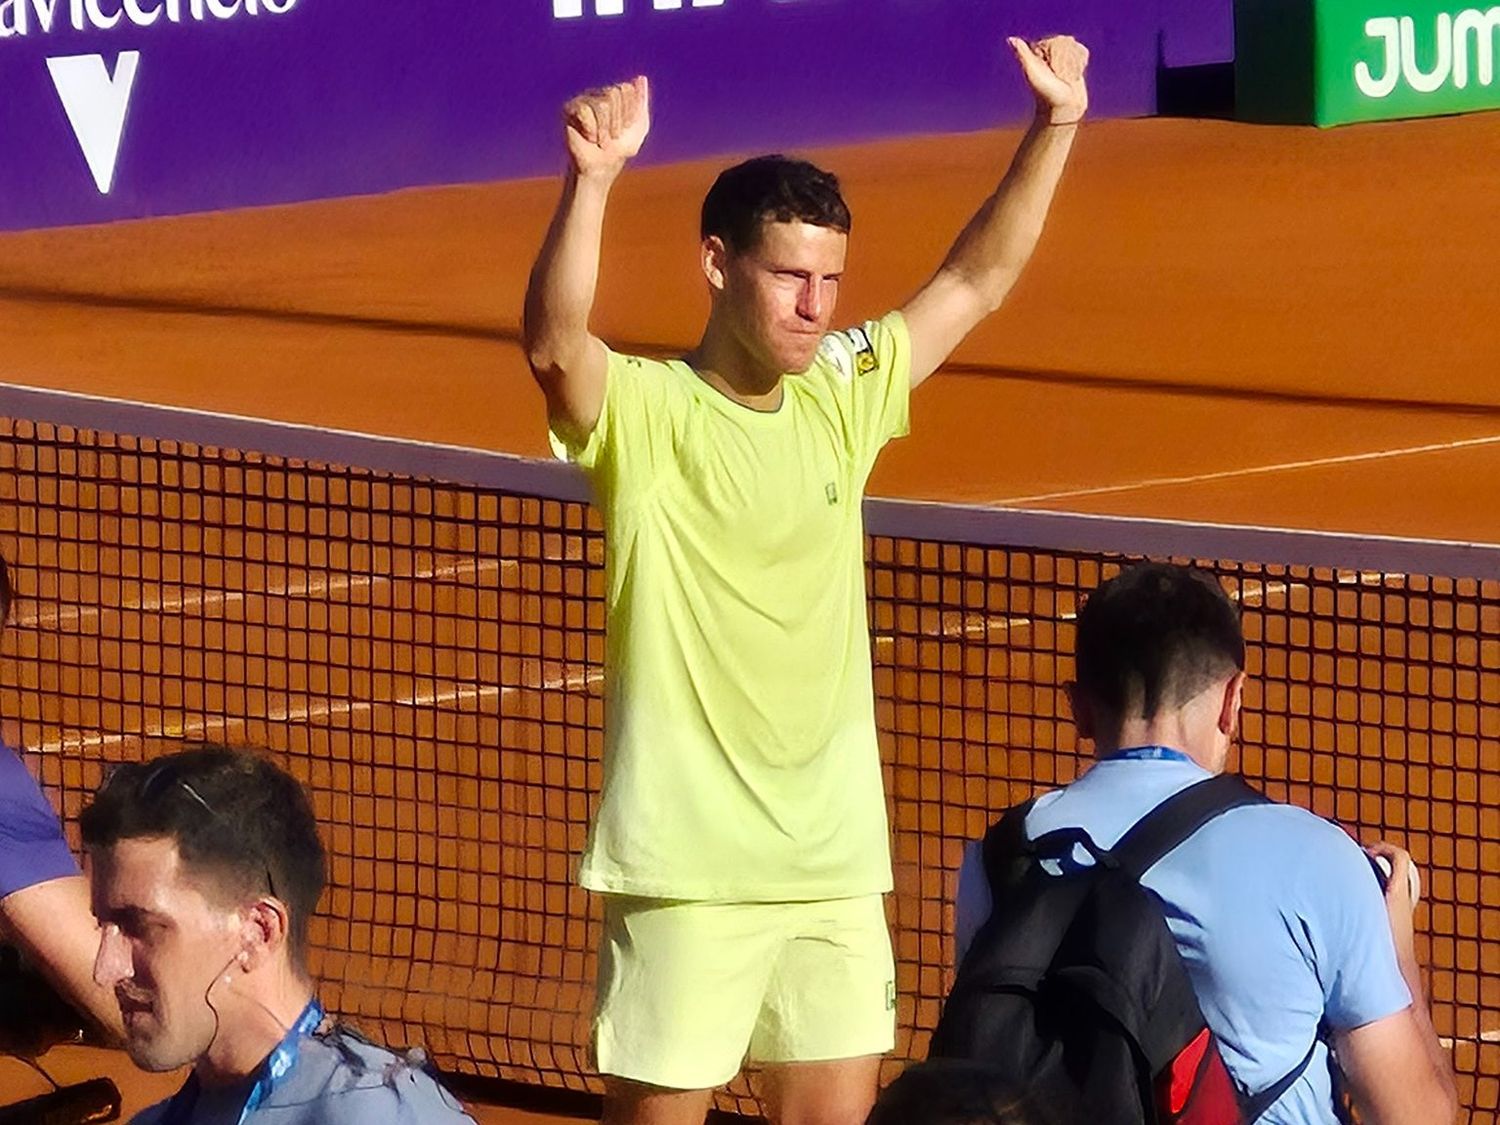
(233, 815)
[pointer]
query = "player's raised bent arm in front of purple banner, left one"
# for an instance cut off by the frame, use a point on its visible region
(605, 128)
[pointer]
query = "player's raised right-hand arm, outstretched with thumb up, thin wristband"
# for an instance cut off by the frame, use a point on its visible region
(995, 247)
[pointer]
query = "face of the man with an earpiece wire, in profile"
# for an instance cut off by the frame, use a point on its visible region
(164, 946)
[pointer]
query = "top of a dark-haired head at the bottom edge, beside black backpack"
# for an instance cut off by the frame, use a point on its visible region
(961, 1093)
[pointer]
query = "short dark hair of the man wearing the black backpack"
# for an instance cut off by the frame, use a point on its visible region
(1154, 637)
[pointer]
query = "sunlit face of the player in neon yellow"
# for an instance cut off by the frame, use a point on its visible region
(782, 293)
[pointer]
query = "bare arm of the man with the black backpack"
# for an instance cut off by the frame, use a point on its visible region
(1399, 1072)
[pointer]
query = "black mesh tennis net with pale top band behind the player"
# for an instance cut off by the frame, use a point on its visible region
(418, 634)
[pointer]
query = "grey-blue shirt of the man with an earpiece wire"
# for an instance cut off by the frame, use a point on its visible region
(338, 1081)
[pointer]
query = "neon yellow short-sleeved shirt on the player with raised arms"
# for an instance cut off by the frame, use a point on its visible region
(740, 748)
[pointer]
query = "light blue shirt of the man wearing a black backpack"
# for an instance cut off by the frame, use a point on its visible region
(1276, 911)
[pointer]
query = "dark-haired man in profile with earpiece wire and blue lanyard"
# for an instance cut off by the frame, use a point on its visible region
(206, 874)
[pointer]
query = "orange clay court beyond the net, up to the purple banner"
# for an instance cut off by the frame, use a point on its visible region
(1225, 323)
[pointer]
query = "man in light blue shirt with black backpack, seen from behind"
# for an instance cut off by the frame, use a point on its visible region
(1157, 941)
